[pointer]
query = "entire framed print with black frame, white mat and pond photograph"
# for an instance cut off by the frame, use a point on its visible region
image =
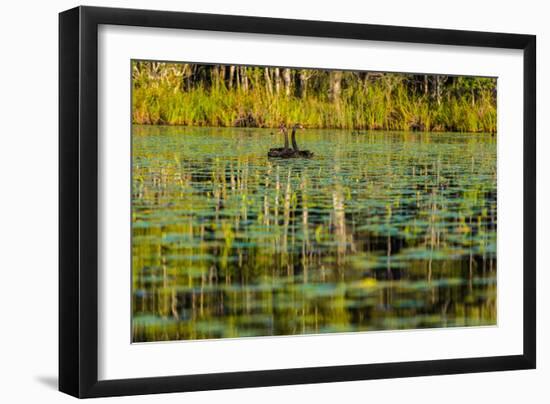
(251, 201)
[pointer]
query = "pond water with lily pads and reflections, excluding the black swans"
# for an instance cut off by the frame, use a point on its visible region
(379, 231)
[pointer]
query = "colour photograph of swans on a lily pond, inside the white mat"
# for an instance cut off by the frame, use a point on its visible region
(283, 201)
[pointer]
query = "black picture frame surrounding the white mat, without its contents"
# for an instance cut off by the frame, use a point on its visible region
(78, 201)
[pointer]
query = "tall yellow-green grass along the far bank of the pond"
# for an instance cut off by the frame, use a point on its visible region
(380, 106)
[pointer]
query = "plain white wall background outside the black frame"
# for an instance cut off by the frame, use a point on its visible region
(28, 202)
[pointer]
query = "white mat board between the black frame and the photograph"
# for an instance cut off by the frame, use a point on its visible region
(121, 360)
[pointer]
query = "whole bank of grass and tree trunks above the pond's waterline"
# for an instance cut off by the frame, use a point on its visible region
(265, 97)
